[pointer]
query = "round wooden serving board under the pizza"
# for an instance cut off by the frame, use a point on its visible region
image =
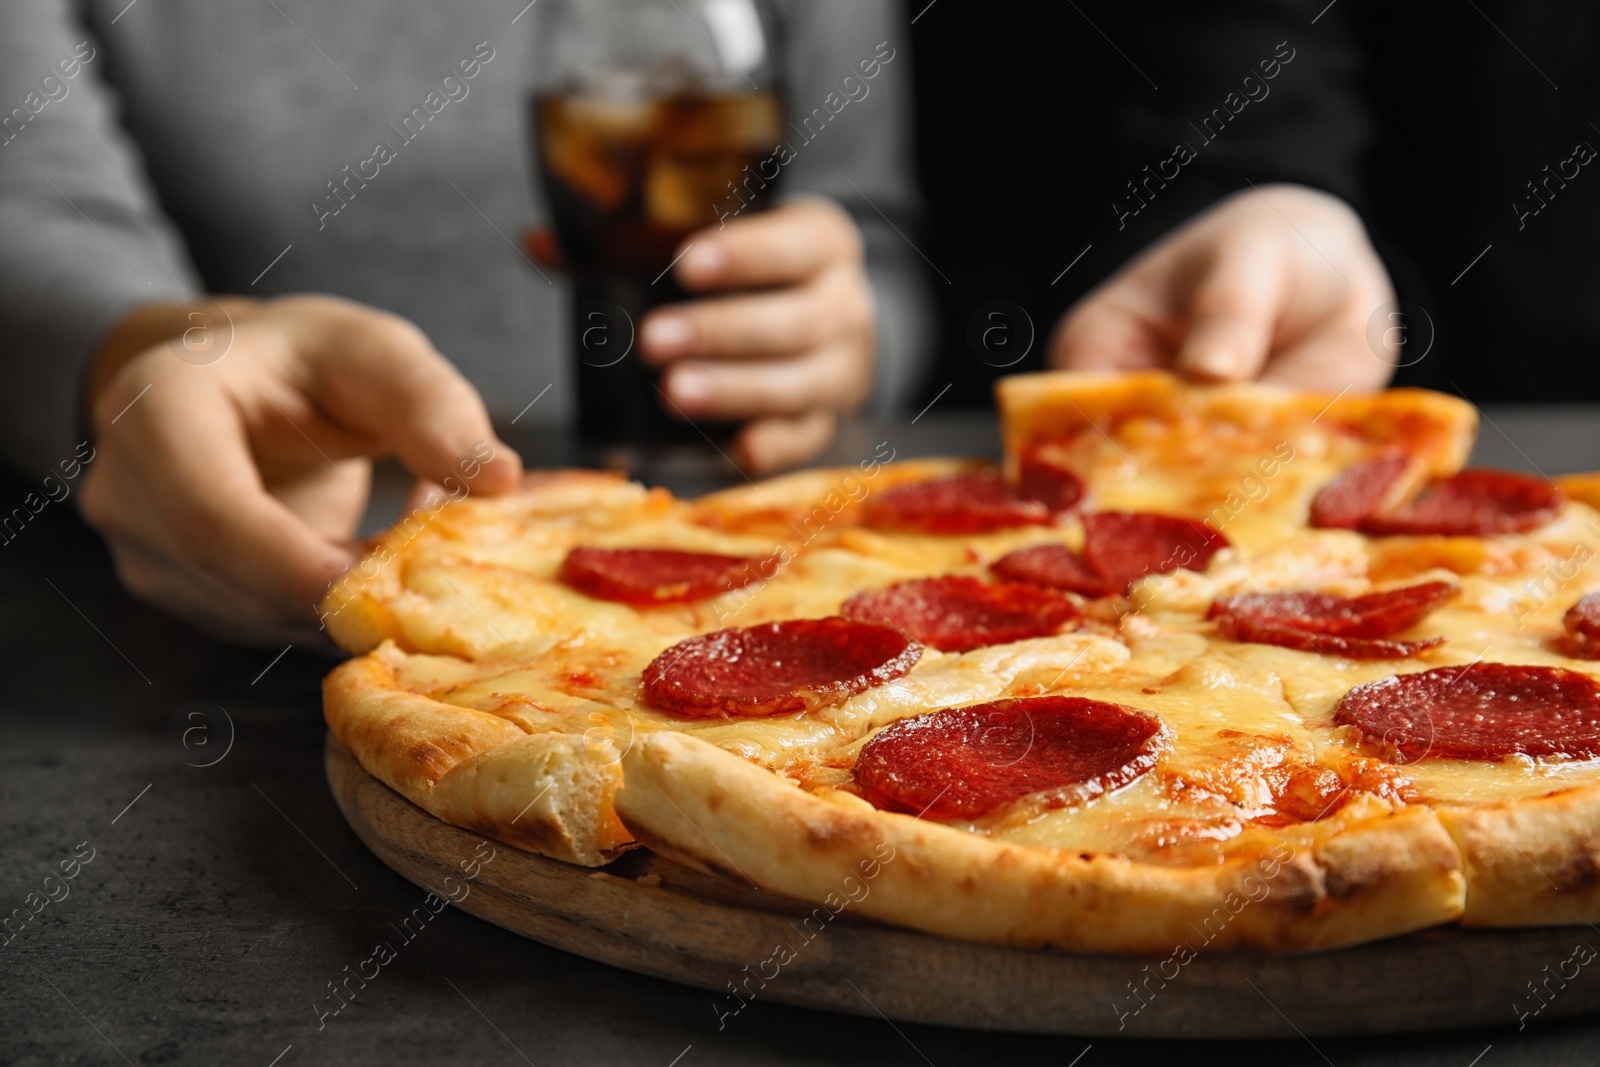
(649, 914)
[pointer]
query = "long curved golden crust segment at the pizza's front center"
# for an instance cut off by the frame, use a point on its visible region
(1337, 885)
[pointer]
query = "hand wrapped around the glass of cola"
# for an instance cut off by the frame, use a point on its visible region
(786, 345)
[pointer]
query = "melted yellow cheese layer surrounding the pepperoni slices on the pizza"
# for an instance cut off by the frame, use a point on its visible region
(1244, 722)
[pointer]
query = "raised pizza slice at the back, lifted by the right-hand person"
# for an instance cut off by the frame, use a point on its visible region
(1247, 458)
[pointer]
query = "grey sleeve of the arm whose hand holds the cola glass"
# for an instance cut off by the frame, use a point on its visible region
(850, 140)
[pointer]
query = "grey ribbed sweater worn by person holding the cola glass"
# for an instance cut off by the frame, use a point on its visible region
(167, 148)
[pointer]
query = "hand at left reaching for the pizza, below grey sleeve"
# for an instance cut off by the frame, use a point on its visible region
(230, 492)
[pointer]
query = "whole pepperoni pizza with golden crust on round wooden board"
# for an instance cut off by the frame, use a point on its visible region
(1230, 663)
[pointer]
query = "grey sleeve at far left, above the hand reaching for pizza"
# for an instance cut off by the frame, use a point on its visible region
(84, 242)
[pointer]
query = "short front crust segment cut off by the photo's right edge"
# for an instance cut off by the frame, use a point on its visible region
(1534, 861)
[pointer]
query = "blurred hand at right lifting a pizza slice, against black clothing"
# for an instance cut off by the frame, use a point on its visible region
(1278, 286)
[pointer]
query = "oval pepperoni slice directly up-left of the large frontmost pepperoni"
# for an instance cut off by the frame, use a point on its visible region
(777, 668)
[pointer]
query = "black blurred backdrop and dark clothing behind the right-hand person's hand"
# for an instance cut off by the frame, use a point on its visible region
(1430, 118)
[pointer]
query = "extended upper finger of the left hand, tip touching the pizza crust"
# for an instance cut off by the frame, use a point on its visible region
(380, 375)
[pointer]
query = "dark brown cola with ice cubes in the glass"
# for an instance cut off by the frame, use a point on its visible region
(628, 178)
